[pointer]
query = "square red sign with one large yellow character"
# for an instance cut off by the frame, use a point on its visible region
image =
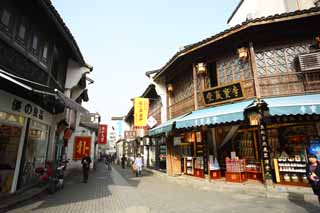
(82, 147)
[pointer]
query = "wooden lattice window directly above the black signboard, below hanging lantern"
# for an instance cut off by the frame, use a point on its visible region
(233, 69)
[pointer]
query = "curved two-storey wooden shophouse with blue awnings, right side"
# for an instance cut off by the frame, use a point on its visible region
(245, 103)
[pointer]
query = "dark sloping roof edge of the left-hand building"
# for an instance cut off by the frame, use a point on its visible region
(55, 16)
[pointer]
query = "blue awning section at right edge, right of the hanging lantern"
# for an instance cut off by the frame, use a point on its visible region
(294, 105)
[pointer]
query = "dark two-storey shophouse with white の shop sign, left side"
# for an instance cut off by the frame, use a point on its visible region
(37, 56)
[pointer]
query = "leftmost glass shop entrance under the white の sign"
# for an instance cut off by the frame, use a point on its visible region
(9, 144)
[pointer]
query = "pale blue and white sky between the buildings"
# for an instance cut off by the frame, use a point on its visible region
(124, 39)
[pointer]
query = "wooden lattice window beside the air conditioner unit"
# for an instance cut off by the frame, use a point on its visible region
(280, 60)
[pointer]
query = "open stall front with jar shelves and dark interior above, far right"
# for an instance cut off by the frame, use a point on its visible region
(290, 161)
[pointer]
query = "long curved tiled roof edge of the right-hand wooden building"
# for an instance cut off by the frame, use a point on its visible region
(247, 23)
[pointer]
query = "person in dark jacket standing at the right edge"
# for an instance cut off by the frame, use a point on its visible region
(313, 173)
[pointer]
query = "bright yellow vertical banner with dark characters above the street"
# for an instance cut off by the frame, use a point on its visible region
(141, 110)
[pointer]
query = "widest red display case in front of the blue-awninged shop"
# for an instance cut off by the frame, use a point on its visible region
(236, 170)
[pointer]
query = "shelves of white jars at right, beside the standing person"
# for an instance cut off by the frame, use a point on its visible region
(291, 170)
